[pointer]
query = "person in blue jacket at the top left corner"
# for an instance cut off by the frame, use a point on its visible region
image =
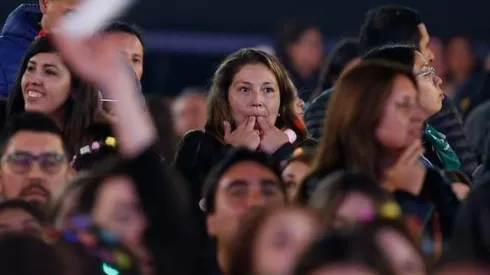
(20, 30)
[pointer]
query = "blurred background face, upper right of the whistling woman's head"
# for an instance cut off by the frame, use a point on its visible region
(307, 52)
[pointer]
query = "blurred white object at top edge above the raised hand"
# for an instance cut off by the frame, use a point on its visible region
(91, 16)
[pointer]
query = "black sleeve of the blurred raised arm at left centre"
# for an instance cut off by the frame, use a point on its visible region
(170, 234)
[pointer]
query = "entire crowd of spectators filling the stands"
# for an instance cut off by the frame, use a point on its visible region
(362, 167)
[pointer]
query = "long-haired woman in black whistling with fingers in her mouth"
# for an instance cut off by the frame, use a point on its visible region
(251, 104)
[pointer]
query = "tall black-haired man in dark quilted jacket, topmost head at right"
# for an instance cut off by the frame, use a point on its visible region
(398, 24)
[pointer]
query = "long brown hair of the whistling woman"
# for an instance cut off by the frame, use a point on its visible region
(218, 102)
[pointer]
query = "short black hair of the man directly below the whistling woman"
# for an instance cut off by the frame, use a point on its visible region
(235, 156)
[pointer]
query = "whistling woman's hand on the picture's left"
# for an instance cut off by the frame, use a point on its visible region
(244, 135)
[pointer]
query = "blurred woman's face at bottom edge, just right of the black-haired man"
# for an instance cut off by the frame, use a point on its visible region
(281, 240)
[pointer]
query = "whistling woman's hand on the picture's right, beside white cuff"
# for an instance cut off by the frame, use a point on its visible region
(273, 138)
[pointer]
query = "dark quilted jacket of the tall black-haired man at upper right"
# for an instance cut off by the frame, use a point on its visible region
(446, 121)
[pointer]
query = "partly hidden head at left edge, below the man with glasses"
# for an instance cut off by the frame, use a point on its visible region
(18, 215)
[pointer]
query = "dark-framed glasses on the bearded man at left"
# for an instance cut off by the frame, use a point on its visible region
(21, 162)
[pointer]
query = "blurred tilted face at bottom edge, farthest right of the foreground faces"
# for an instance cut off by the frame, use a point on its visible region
(402, 256)
